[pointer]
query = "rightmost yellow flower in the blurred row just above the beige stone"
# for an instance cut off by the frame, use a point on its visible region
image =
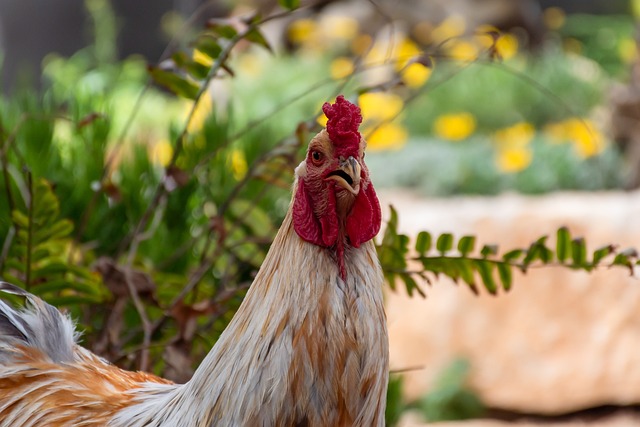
(587, 140)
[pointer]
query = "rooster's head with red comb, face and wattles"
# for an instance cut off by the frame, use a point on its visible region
(335, 203)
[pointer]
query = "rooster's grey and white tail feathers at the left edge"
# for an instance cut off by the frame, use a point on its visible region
(38, 325)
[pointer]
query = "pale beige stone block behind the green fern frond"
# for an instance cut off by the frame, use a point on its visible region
(560, 340)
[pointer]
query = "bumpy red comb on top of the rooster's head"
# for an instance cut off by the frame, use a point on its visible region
(342, 126)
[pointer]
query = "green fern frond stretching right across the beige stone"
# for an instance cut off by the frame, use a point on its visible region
(461, 260)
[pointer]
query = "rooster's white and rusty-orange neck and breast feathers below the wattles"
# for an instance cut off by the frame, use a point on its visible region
(304, 346)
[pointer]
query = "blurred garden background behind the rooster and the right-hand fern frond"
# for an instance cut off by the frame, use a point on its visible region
(504, 119)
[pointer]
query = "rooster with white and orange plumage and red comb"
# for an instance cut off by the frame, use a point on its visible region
(307, 347)
